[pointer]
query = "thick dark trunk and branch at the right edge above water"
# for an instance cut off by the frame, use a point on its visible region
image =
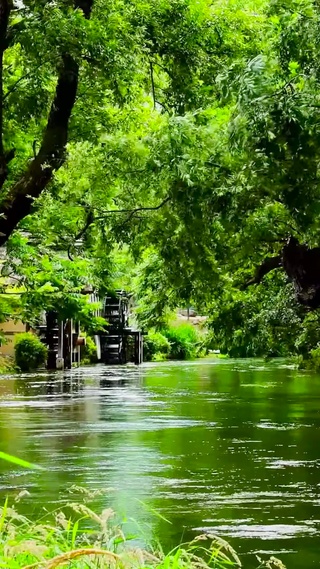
(302, 266)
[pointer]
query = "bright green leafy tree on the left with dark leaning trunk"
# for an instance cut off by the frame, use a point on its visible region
(124, 84)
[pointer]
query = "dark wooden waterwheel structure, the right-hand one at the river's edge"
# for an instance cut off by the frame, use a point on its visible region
(119, 342)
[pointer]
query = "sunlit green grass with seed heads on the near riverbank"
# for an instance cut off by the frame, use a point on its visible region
(58, 541)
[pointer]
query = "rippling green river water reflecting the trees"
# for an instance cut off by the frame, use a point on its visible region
(231, 447)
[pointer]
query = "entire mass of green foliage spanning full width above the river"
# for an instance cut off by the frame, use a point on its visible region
(167, 146)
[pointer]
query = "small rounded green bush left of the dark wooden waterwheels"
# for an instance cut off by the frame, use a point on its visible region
(30, 352)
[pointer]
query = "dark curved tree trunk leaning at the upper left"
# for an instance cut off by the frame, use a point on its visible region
(18, 201)
